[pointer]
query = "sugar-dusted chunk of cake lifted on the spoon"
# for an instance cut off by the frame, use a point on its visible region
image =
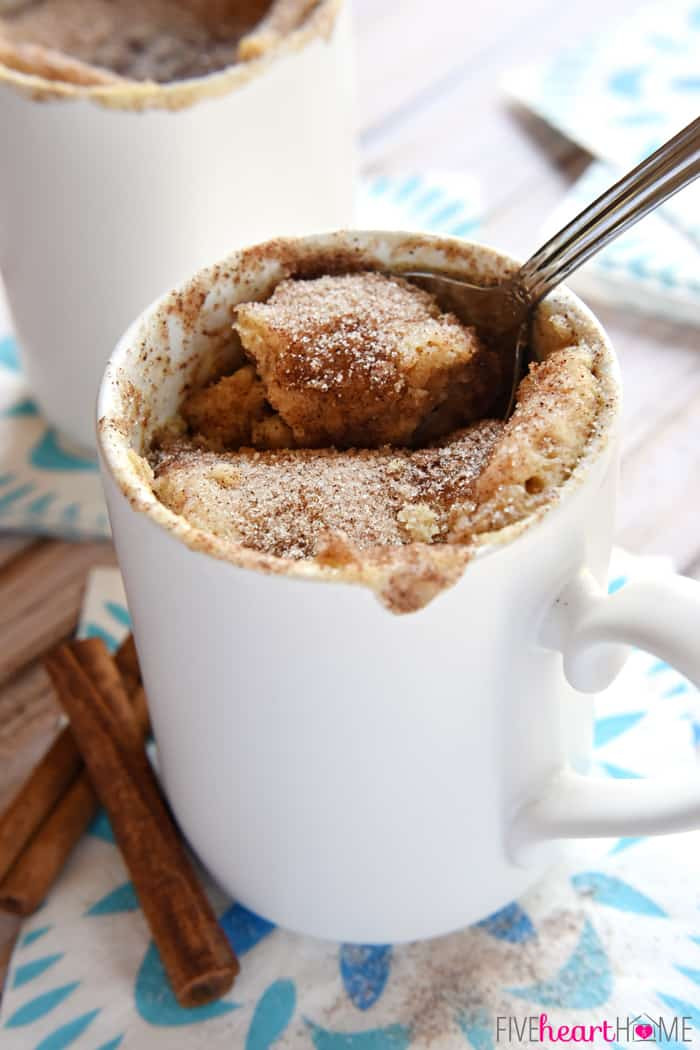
(364, 360)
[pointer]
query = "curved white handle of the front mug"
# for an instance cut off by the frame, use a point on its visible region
(591, 631)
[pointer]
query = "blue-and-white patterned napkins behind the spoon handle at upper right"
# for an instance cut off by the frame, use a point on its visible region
(621, 95)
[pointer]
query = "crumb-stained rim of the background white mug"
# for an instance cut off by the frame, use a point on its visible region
(140, 96)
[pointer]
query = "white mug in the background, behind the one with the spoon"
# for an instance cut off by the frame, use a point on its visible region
(111, 195)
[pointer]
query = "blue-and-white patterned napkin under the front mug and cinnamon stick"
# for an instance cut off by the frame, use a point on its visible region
(612, 935)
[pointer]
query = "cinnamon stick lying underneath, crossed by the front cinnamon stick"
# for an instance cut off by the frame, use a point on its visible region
(54, 809)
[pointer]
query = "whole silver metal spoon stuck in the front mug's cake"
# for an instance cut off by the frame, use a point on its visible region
(504, 310)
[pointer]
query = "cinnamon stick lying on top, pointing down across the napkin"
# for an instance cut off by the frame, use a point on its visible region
(194, 950)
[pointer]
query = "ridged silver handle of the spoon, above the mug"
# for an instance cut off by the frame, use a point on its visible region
(672, 167)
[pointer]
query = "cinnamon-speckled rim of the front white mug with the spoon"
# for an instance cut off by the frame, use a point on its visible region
(128, 472)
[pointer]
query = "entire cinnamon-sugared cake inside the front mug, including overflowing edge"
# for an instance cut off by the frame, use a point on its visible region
(313, 449)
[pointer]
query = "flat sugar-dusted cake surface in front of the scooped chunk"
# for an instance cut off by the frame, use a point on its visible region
(291, 503)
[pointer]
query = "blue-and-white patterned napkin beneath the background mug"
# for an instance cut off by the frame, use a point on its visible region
(48, 488)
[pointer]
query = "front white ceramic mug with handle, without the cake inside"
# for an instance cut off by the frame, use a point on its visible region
(351, 773)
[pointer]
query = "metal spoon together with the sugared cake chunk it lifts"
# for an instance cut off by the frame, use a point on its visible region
(368, 360)
